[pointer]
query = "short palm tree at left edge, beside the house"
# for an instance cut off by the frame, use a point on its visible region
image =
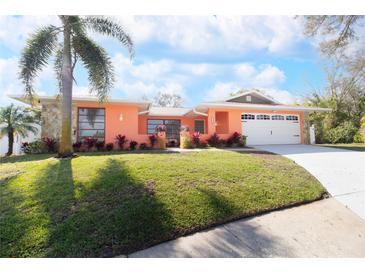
(17, 120)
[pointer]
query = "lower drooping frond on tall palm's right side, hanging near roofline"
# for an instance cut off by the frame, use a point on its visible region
(98, 64)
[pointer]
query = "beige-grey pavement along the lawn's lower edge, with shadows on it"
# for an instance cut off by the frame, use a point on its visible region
(321, 229)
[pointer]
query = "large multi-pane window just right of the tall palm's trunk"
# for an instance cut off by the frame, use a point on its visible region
(91, 123)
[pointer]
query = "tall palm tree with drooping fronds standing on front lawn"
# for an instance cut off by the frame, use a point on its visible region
(75, 45)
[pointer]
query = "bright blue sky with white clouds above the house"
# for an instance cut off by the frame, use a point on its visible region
(202, 58)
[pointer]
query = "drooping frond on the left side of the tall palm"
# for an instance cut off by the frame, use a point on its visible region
(35, 55)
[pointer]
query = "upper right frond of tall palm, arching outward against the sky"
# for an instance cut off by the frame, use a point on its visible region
(106, 26)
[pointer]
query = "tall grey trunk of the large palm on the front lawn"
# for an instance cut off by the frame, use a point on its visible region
(65, 148)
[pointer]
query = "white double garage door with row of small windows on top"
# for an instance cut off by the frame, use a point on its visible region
(262, 129)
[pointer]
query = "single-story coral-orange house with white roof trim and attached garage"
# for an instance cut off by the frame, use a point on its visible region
(262, 119)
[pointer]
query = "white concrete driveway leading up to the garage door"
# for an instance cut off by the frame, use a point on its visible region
(341, 171)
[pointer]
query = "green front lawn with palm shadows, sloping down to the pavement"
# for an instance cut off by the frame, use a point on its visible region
(111, 204)
